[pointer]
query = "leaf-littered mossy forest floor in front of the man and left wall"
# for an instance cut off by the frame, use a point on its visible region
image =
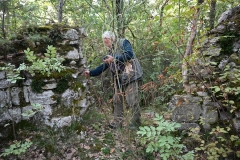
(90, 139)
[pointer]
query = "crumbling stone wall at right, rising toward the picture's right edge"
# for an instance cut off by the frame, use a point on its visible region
(217, 64)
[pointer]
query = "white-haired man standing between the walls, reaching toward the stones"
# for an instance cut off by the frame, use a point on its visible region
(126, 72)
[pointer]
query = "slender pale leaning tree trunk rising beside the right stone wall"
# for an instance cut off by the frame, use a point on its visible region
(189, 48)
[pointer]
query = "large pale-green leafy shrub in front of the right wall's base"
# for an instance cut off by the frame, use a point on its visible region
(160, 139)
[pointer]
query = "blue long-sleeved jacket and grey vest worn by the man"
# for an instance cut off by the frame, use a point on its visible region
(122, 55)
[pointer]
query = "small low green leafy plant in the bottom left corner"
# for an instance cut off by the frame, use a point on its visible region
(17, 148)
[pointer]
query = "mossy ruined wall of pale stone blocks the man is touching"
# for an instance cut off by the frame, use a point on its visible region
(56, 107)
